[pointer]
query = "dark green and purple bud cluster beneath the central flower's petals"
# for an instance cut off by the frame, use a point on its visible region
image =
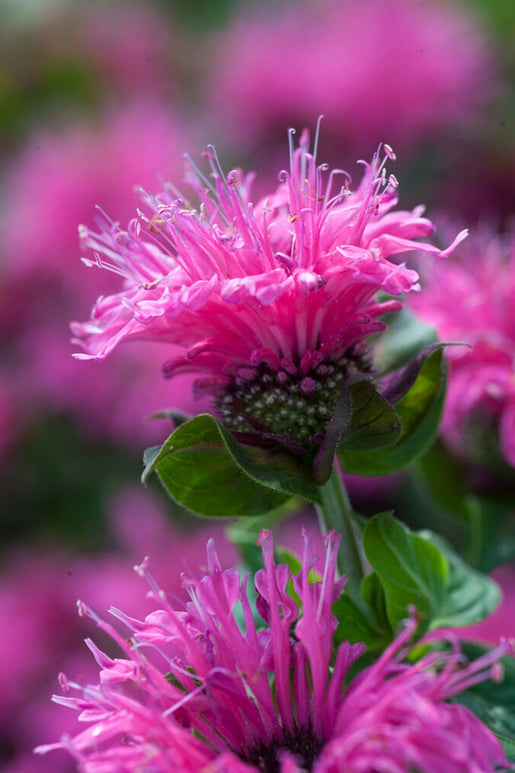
(287, 403)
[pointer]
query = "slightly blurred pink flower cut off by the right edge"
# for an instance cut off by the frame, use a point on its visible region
(470, 299)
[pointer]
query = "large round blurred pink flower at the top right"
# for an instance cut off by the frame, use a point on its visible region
(395, 69)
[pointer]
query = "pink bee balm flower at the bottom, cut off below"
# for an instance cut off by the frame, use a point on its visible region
(204, 687)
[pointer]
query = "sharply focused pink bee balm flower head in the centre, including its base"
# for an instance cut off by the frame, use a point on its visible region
(272, 303)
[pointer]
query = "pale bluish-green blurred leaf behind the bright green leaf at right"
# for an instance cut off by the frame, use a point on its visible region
(469, 595)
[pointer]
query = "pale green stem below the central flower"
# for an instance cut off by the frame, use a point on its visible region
(335, 512)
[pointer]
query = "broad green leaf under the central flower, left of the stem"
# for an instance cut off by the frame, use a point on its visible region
(205, 469)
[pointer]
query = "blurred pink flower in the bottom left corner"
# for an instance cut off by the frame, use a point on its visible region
(34, 593)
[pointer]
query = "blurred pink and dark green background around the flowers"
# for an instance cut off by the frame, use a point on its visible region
(96, 97)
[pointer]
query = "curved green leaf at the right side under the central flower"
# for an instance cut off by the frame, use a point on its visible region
(419, 412)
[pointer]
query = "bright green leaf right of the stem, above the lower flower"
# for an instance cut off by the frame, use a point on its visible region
(411, 569)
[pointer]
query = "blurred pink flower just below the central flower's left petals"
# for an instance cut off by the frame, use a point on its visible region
(112, 402)
